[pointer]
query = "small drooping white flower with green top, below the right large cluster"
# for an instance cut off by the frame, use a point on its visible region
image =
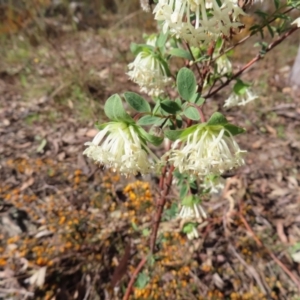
(191, 209)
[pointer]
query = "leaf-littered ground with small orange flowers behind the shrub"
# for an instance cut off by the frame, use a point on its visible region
(60, 211)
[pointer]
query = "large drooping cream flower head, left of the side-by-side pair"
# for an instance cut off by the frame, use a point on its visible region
(119, 146)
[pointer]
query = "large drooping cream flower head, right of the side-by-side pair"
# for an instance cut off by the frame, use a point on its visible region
(206, 150)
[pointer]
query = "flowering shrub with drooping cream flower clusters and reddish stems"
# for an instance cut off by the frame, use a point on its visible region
(199, 148)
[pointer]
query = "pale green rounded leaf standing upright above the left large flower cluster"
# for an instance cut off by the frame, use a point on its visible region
(115, 111)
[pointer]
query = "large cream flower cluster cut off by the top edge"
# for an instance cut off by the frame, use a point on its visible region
(198, 22)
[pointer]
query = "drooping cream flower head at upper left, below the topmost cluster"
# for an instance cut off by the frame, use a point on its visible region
(149, 73)
